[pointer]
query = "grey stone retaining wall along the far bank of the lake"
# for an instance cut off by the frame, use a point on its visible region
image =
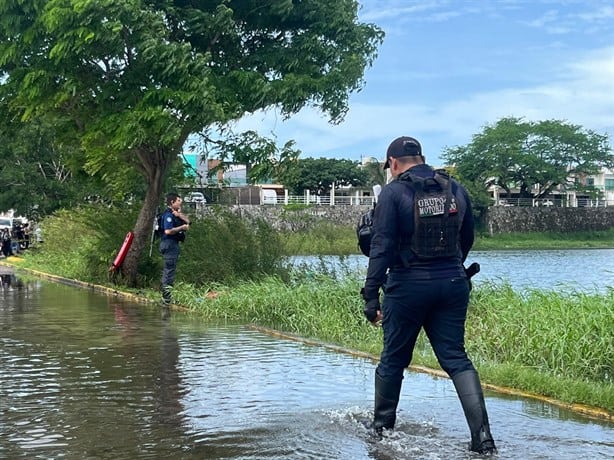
(498, 219)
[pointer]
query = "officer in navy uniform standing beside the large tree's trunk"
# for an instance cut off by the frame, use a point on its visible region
(174, 224)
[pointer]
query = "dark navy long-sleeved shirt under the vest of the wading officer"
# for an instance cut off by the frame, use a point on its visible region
(393, 225)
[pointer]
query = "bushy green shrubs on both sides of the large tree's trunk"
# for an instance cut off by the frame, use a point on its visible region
(82, 244)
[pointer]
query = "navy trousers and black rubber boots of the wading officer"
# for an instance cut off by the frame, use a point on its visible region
(440, 307)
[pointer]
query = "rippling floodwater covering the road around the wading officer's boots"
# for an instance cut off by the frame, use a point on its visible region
(85, 376)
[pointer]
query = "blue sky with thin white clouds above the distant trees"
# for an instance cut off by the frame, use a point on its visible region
(448, 68)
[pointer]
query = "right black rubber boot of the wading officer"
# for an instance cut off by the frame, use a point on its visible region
(469, 391)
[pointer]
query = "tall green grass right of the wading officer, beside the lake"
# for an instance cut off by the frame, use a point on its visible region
(568, 335)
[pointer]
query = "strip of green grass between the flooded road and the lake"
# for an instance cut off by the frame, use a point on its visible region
(552, 344)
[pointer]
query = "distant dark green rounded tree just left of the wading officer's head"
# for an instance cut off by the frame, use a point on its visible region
(319, 175)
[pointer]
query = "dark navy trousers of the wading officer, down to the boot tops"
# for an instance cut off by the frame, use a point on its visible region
(440, 307)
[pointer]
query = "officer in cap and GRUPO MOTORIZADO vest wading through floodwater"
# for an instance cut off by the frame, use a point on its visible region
(422, 232)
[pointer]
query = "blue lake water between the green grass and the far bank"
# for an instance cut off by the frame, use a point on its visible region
(570, 269)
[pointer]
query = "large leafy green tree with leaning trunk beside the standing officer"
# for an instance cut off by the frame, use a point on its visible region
(137, 77)
